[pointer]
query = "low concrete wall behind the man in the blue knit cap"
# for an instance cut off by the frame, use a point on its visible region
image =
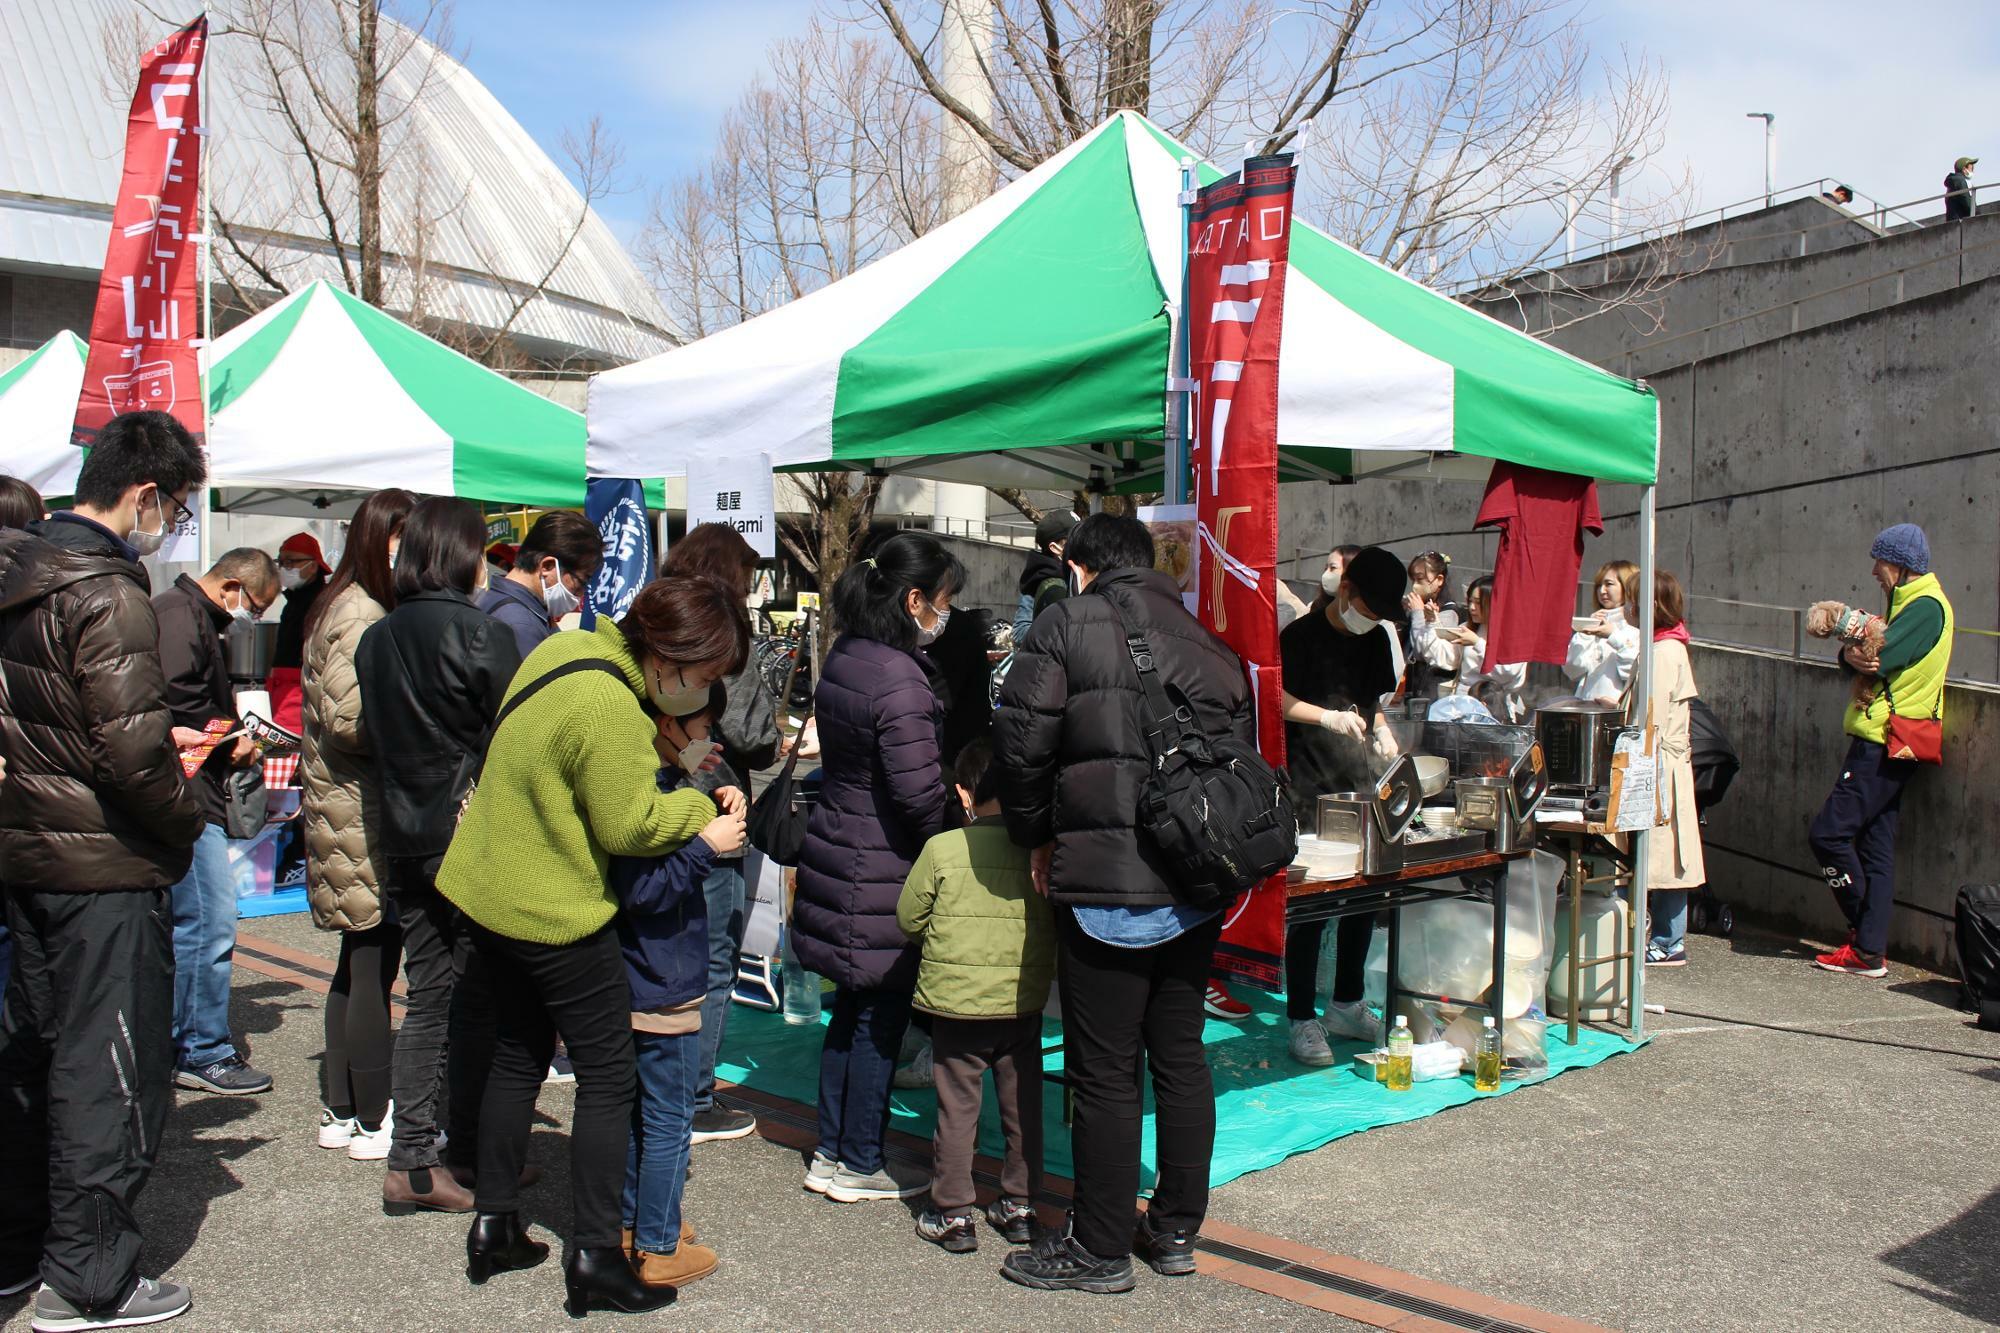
(1785, 720)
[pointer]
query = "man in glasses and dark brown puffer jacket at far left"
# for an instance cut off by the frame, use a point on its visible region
(97, 824)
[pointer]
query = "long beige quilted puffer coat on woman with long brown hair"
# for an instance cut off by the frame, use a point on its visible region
(343, 802)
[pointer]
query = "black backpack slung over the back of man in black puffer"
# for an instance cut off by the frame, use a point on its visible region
(1211, 806)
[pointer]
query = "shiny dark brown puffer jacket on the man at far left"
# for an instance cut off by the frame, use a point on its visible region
(93, 796)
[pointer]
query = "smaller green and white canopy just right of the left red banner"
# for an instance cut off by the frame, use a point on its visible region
(325, 391)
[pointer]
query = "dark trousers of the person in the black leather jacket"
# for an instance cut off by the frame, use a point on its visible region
(447, 1038)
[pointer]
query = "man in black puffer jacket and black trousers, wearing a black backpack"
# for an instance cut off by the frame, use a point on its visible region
(1133, 962)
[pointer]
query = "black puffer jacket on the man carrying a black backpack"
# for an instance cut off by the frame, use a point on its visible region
(1069, 740)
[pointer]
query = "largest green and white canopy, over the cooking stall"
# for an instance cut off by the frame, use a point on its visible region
(1027, 343)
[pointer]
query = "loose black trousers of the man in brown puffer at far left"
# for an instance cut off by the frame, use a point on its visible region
(87, 1056)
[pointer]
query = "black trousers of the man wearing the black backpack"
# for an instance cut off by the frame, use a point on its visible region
(1117, 1004)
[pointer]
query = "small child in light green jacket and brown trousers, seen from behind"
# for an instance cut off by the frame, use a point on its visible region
(989, 962)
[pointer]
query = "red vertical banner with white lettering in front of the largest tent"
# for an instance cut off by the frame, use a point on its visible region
(1239, 243)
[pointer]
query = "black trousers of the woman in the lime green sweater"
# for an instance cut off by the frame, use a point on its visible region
(581, 994)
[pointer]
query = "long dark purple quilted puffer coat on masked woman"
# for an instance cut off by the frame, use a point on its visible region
(881, 800)
